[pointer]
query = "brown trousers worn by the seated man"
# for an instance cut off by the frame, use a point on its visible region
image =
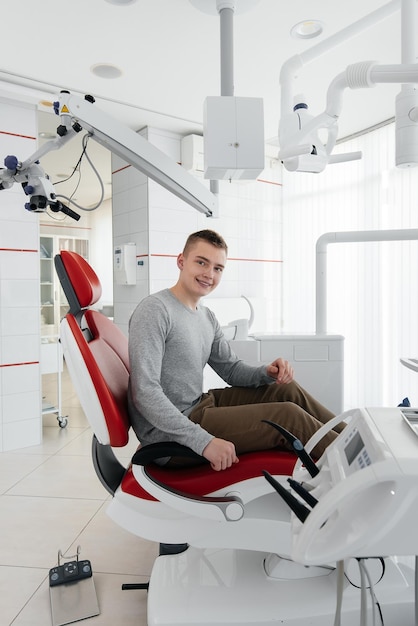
(236, 414)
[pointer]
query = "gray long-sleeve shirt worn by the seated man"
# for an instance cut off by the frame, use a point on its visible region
(169, 345)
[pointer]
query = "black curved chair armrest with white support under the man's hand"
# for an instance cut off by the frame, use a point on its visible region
(227, 508)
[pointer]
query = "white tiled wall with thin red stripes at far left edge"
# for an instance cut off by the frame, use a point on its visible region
(19, 290)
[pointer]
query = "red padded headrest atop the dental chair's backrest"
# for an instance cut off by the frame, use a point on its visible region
(78, 279)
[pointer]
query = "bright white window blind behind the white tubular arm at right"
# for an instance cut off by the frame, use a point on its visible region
(372, 287)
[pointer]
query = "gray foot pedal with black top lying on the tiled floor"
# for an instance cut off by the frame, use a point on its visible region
(72, 591)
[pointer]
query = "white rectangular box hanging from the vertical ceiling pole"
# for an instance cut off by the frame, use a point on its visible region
(233, 130)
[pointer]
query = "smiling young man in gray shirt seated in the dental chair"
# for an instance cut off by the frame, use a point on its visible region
(172, 337)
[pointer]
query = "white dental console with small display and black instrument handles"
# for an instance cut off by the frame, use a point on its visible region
(363, 501)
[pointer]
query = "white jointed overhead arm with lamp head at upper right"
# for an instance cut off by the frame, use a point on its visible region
(301, 148)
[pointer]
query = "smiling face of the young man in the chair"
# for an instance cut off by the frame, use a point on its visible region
(201, 268)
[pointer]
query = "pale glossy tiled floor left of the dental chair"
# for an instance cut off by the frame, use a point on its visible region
(50, 500)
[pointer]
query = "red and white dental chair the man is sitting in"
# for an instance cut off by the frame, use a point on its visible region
(233, 510)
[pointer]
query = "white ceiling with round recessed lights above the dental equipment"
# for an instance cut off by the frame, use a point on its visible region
(169, 53)
